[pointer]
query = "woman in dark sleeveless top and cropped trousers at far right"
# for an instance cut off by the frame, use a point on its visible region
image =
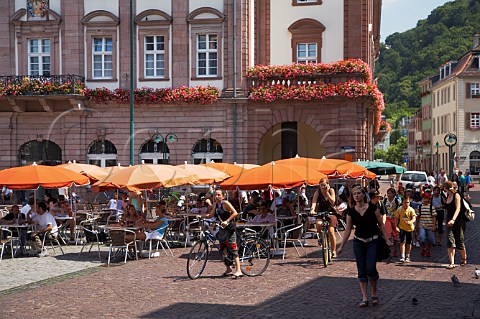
(456, 225)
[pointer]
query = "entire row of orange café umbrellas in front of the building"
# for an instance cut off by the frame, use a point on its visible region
(286, 173)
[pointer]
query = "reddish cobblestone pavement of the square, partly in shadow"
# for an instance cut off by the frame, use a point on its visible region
(64, 286)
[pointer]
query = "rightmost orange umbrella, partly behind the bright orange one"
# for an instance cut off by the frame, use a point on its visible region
(334, 168)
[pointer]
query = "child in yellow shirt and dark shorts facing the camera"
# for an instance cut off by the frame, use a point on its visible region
(405, 220)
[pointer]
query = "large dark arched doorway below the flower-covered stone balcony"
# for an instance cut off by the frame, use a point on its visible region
(288, 139)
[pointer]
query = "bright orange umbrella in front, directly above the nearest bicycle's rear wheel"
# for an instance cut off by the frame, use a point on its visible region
(274, 175)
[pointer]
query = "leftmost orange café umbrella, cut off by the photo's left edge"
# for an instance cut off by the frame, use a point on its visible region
(32, 176)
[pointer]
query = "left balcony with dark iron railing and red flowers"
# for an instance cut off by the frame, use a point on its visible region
(55, 93)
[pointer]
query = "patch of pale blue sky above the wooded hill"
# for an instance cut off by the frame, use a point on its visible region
(402, 15)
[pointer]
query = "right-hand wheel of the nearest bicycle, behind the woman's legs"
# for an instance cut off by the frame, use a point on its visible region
(254, 255)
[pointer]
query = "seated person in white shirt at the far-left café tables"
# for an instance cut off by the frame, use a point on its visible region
(46, 223)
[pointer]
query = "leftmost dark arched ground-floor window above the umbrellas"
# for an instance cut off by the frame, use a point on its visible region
(41, 152)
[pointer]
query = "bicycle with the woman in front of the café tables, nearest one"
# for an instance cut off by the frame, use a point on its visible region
(253, 251)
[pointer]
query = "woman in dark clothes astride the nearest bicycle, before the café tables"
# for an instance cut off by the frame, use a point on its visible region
(226, 214)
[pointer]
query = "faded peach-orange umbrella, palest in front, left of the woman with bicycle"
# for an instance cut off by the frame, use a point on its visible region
(145, 176)
